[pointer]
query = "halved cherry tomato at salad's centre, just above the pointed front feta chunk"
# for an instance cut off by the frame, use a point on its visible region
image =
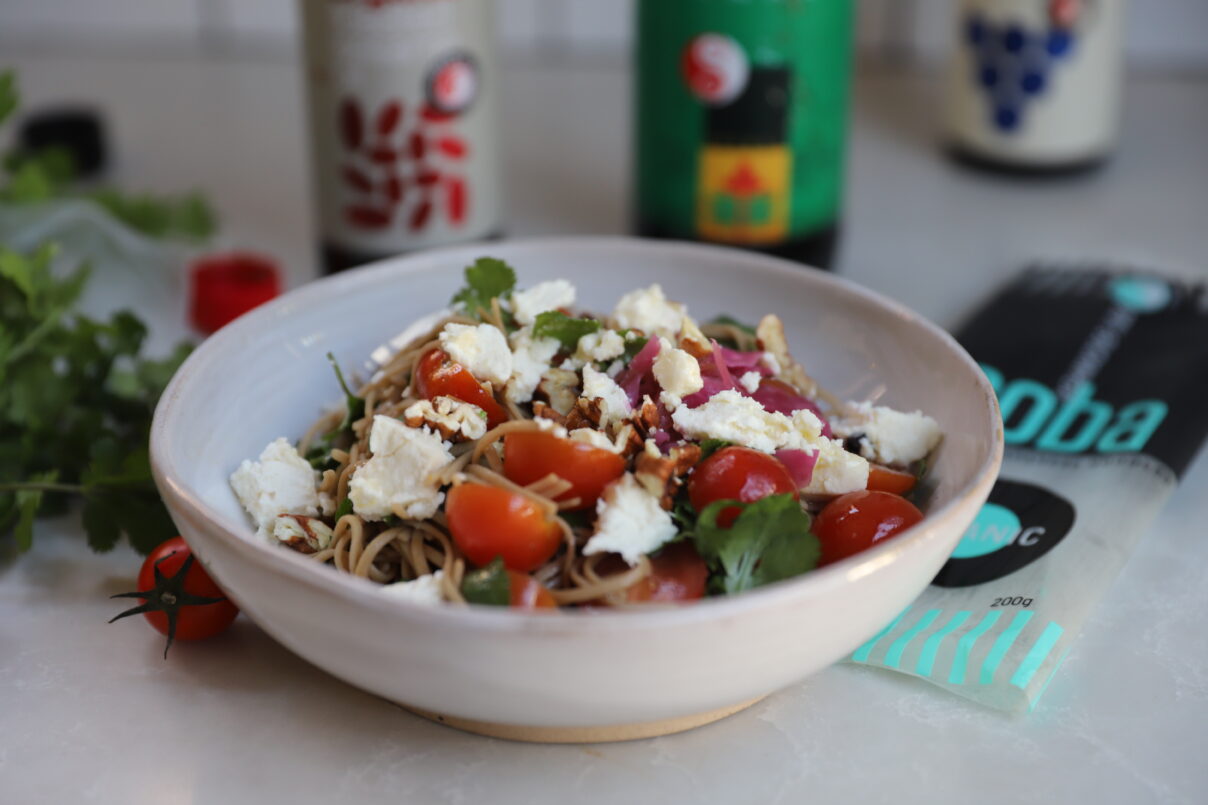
(532, 455)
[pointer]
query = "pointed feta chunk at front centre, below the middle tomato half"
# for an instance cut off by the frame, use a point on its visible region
(630, 523)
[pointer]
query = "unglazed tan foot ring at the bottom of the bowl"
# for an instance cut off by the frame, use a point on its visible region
(606, 734)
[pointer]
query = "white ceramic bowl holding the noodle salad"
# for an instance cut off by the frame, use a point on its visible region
(266, 377)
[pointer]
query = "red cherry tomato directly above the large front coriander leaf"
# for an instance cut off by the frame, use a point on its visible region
(737, 474)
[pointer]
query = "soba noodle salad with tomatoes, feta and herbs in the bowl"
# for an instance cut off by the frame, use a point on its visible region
(521, 453)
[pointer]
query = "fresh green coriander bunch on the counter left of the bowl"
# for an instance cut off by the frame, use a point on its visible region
(77, 396)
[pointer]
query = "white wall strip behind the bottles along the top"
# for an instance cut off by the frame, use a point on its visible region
(1164, 34)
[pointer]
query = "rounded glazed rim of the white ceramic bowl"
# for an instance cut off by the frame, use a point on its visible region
(307, 574)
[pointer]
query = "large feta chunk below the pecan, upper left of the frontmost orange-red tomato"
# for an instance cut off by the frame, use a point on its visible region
(402, 472)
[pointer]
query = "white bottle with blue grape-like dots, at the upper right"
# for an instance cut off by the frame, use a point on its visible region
(1036, 85)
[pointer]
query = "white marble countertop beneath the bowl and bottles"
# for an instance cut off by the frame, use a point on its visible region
(92, 713)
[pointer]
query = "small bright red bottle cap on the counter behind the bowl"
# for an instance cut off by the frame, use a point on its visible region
(224, 287)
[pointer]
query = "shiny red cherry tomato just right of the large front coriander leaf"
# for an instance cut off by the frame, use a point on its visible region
(856, 522)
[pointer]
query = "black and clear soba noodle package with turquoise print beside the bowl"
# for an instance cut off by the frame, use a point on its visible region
(1102, 380)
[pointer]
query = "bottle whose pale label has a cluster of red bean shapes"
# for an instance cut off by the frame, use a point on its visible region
(403, 101)
